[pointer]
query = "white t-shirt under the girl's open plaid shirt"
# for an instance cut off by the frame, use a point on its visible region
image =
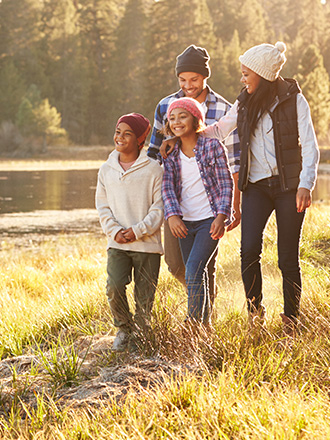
(194, 202)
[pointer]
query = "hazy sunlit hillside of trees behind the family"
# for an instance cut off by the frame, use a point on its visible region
(70, 68)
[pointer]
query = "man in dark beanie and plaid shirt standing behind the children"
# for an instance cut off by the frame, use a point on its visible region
(192, 70)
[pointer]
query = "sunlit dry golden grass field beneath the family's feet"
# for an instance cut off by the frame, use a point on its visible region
(60, 380)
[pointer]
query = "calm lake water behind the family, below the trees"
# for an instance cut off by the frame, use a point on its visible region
(25, 191)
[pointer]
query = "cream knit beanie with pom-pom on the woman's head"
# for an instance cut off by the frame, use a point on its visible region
(266, 60)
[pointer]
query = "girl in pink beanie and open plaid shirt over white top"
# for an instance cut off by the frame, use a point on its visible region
(197, 193)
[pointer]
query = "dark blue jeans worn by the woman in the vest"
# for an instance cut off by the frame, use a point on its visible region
(259, 200)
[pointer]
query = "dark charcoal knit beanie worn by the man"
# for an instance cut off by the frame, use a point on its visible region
(193, 59)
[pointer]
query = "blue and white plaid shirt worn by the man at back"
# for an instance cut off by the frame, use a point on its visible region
(215, 106)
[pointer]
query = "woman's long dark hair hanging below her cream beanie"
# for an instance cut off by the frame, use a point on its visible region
(260, 101)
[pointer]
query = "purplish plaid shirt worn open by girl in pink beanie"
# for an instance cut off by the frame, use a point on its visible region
(213, 166)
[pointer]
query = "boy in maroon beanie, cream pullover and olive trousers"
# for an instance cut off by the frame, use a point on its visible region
(129, 203)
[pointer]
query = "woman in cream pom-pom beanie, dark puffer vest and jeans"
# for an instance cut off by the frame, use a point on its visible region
(279, 158)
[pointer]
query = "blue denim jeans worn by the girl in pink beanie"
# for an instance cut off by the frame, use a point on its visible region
(197, 249)
